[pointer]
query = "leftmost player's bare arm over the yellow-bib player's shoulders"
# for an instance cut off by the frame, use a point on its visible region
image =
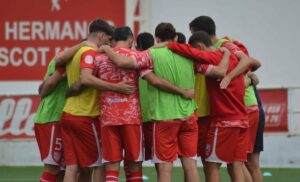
(69, 53)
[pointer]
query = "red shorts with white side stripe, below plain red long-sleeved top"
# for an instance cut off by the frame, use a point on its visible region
(226, 144)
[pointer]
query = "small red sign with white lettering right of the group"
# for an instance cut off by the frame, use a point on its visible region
(275, 104)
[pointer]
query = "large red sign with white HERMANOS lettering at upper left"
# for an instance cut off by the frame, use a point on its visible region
(33, 31)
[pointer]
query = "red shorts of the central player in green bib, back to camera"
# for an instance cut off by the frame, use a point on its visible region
(174, 138)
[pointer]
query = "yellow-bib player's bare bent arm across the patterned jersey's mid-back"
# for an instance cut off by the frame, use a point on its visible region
(88, 79)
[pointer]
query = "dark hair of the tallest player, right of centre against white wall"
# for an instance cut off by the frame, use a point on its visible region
(204, 23)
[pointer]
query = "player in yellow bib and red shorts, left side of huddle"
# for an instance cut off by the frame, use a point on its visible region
(80, 126)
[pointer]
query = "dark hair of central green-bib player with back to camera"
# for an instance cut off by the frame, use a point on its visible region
(165, 31)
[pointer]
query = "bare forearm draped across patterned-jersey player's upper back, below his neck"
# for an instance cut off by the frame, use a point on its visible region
(119, 60)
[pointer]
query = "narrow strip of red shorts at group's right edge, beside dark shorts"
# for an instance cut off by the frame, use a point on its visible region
(253, 117)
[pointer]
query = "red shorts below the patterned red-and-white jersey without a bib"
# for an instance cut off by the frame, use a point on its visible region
(119, 137)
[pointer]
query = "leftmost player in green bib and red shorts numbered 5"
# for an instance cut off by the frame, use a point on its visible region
(47, 125)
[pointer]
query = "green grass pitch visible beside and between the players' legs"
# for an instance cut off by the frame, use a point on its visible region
(30, 174)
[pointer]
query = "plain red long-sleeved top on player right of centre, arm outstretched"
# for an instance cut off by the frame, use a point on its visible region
(226, 105)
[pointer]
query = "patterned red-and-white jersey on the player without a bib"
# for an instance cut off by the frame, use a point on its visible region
(117, 108)
